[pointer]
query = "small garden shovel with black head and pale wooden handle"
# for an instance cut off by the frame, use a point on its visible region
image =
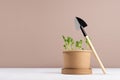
(82, 26)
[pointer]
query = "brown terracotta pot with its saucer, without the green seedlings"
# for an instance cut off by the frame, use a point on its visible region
(77, 62)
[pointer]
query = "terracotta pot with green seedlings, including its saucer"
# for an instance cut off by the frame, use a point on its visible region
(76, 58)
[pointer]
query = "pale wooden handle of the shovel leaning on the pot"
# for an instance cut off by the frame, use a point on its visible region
(96, 56)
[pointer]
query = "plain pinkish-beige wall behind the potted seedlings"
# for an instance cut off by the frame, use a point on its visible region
(30, 30)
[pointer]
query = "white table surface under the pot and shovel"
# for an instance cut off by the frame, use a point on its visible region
(55, 74)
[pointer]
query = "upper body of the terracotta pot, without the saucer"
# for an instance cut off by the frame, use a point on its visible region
(77, 59)
